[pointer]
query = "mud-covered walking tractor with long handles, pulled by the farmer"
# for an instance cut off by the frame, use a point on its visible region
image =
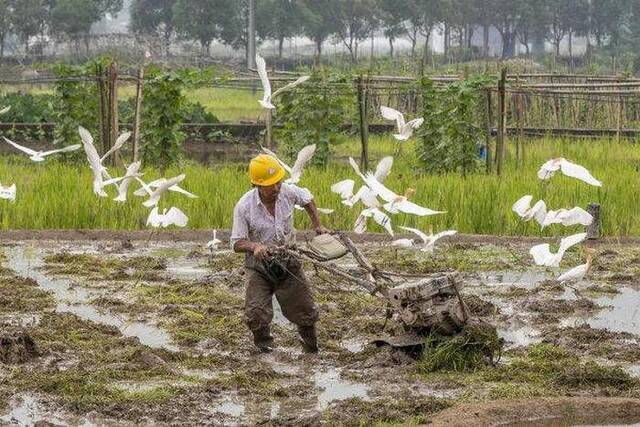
(417, 306)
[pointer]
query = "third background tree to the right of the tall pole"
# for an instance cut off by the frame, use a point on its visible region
(355, 19)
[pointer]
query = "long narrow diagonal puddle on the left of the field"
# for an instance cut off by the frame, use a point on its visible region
(75, 300)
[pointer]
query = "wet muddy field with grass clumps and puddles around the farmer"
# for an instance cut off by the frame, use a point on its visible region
(153, 334)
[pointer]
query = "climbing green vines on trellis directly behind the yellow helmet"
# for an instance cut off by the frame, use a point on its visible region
(314, 113)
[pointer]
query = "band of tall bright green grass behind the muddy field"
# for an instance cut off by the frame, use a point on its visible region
(59, 196)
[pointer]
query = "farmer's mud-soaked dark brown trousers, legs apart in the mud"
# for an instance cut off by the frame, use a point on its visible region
(295, 299)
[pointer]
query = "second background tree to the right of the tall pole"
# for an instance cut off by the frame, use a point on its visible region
(319, 21)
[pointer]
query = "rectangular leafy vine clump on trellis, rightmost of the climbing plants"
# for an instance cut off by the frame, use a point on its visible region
(453, 126)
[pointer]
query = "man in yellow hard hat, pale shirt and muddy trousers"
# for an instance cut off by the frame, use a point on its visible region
(263, 220)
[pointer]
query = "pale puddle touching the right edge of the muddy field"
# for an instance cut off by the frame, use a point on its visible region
(620, 313)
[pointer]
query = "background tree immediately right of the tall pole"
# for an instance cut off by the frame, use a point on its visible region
(278, 20)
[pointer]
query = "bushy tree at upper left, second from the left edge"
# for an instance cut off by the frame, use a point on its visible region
(74, 18)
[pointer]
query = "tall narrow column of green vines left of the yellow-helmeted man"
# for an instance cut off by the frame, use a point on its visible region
(162, 117)
